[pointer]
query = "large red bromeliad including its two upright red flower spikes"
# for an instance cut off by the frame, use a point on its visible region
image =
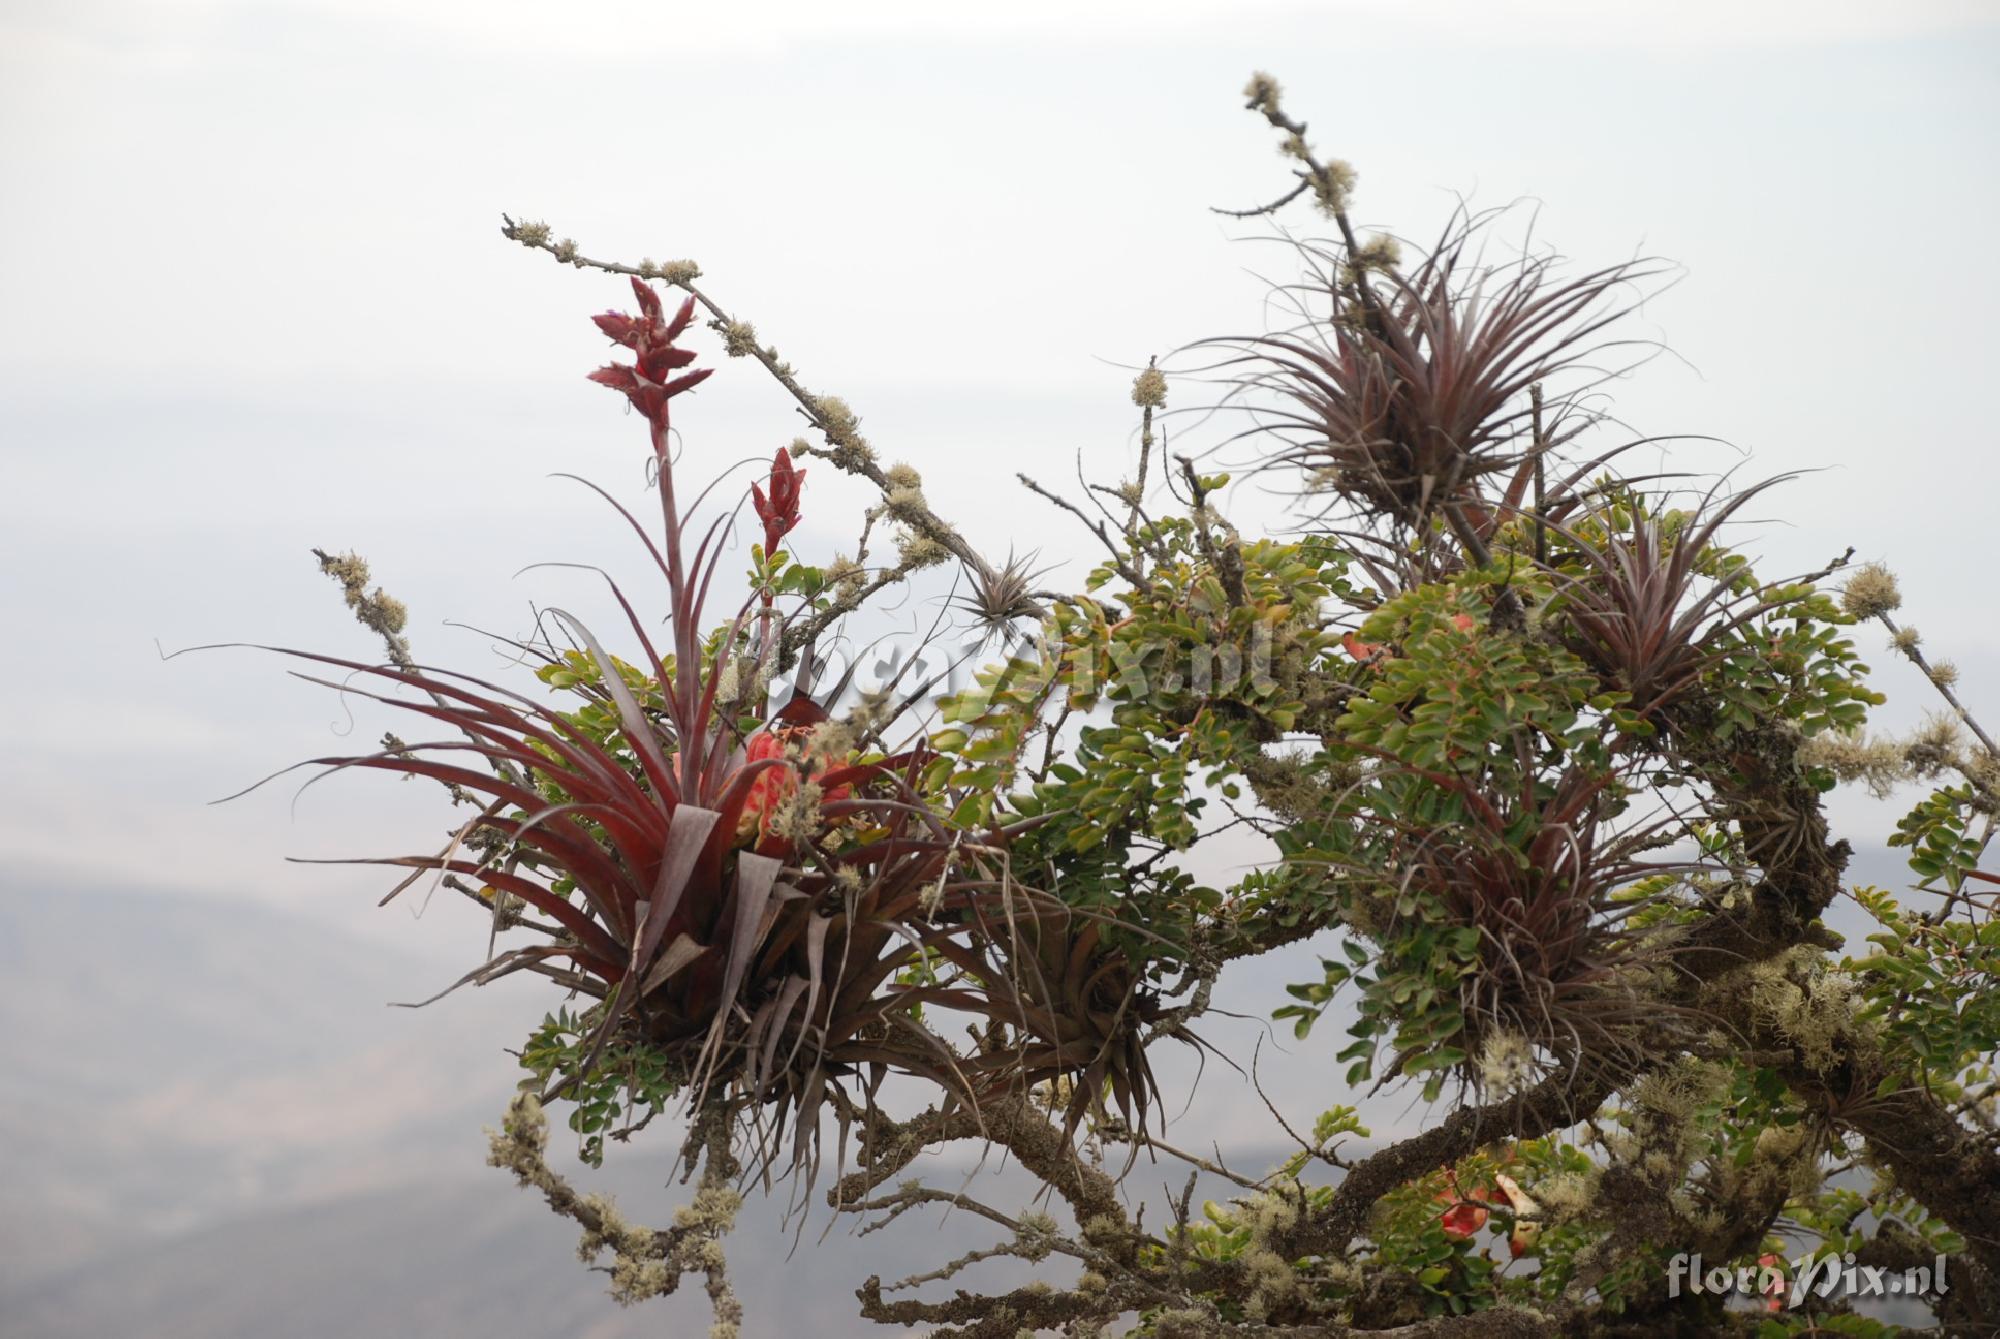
(739, 896)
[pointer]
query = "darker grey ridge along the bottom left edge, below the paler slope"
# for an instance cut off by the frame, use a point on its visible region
(441, 1262)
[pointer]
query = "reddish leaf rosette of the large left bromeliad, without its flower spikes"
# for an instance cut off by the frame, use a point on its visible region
(741, 954)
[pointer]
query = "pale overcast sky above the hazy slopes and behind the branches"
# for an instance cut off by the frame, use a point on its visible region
(253, 299)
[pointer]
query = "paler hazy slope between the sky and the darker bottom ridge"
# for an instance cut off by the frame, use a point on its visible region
(171, 1062)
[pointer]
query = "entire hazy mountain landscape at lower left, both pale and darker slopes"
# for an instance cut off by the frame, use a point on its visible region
(217, 1130)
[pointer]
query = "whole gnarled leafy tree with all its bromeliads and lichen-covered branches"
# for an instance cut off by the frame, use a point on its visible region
(1539, 758)
